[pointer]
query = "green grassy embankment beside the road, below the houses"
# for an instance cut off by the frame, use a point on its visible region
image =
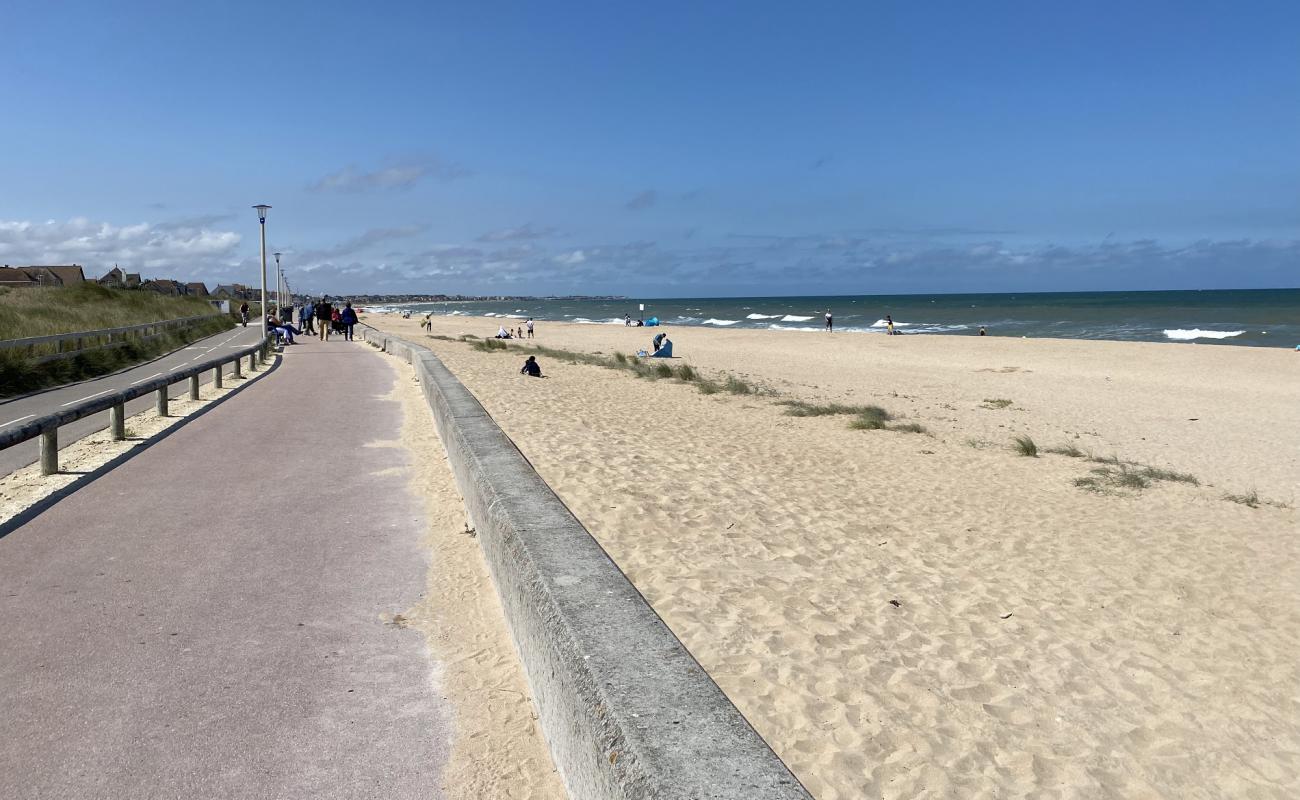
(28, 313)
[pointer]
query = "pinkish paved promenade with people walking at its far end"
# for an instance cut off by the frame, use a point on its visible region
(209, 620)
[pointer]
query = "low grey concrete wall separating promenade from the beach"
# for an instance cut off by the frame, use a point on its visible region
(626, 710)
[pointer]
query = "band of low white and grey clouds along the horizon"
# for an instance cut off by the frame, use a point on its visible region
(531, 260)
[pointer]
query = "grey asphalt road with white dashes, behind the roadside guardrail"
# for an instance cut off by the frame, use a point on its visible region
(50, 401)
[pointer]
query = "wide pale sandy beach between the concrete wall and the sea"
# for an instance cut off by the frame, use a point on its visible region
(1047, 642)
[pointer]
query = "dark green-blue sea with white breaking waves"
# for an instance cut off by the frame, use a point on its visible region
(1256, 318)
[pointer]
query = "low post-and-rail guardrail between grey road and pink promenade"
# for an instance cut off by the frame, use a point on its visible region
(47, 427)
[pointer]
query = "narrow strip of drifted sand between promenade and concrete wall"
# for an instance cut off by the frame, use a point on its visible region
(499, 750)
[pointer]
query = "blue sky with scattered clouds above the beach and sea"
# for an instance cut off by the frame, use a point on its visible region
(661, 149)
